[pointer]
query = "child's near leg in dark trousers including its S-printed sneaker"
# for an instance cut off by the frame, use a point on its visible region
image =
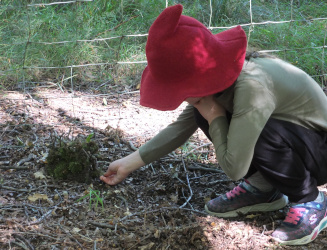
(294, 160)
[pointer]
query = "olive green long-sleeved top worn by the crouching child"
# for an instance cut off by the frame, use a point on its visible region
(265, 88)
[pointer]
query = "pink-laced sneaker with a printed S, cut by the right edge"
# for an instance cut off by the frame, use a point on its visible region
(303, 223)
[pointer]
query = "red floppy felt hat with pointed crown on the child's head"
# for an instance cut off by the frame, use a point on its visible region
(186, 60)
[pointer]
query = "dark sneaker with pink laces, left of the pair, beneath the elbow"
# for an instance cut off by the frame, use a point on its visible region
(245, 198)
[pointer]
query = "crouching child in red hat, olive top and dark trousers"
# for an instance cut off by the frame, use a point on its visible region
(266, 119)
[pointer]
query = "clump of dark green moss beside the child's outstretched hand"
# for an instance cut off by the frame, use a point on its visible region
(72, 160)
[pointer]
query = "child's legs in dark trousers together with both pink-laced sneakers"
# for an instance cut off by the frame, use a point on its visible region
(292, 159)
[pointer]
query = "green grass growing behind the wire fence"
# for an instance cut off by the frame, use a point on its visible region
(25, 30)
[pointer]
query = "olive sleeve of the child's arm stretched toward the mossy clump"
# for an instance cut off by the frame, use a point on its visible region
(170, 138)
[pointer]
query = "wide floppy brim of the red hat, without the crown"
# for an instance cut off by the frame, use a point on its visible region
(161, 95)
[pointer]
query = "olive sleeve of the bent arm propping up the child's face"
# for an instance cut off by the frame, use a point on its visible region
(235, 142)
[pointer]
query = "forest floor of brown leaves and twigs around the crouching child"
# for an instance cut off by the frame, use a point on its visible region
(160, 206)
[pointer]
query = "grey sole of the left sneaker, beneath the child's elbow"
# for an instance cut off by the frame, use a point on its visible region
(262, 207)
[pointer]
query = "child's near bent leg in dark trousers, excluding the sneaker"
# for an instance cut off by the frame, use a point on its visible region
(292, 159)
